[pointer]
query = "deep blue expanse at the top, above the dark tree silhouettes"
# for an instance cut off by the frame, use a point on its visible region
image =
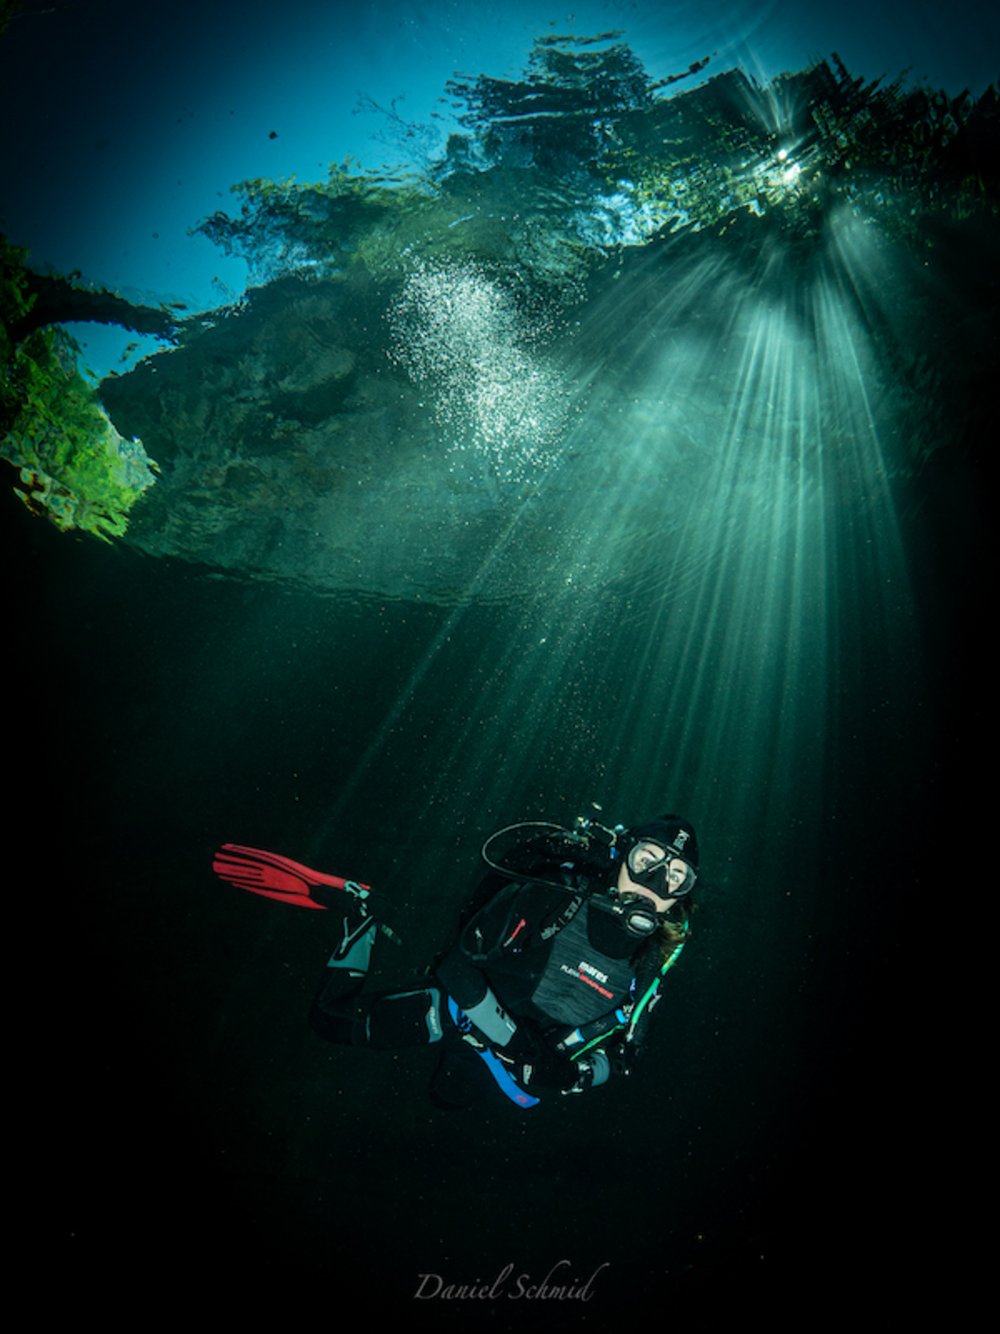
(130, 129)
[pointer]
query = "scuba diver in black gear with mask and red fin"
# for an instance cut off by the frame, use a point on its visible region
(554, 977)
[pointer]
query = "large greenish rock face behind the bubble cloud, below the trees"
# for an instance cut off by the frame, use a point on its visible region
(337, 436)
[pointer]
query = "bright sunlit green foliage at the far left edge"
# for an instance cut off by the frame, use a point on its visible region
(74, 466)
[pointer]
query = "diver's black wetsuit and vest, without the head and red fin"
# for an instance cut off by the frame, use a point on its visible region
(545, 990)
